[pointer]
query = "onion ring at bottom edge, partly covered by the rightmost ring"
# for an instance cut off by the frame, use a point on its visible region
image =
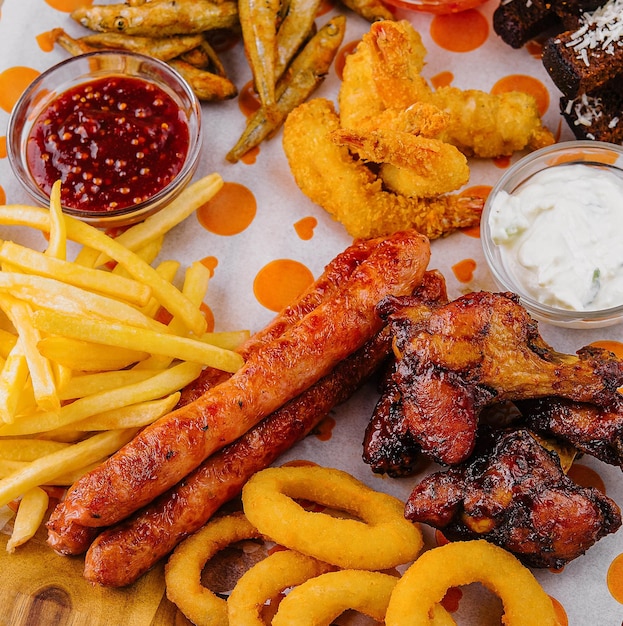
(320, 600)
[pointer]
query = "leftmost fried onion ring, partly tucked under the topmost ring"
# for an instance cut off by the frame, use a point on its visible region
(183, 570)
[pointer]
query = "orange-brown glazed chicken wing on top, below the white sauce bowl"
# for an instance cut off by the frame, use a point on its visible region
(475, 351)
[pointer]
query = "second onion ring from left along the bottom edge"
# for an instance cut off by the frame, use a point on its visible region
(265, 580)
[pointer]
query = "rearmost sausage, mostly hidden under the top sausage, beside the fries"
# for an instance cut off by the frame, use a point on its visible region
(68, 537)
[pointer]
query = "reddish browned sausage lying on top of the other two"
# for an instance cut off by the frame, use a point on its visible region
(166, 451)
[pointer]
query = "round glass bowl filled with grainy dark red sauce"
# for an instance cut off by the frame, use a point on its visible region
(122, 131)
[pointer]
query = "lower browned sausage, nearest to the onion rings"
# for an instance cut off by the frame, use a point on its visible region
(120, 555)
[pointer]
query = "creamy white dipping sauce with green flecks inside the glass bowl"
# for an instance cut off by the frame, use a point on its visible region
(561, 236)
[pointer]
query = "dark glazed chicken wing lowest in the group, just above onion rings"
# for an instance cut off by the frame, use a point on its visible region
(513, 493)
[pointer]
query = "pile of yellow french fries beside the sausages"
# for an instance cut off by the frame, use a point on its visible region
(84, 360)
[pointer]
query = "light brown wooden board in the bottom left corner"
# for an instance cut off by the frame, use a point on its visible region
(40, 588)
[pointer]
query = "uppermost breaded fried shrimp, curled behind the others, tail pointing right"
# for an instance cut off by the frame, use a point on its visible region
(385, 73)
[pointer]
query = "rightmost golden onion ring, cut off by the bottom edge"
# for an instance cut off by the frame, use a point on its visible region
(426, 581)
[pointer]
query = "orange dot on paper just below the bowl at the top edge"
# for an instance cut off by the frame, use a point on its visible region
(460, 32)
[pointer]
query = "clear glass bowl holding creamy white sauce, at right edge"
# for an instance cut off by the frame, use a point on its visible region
(552, 232)
